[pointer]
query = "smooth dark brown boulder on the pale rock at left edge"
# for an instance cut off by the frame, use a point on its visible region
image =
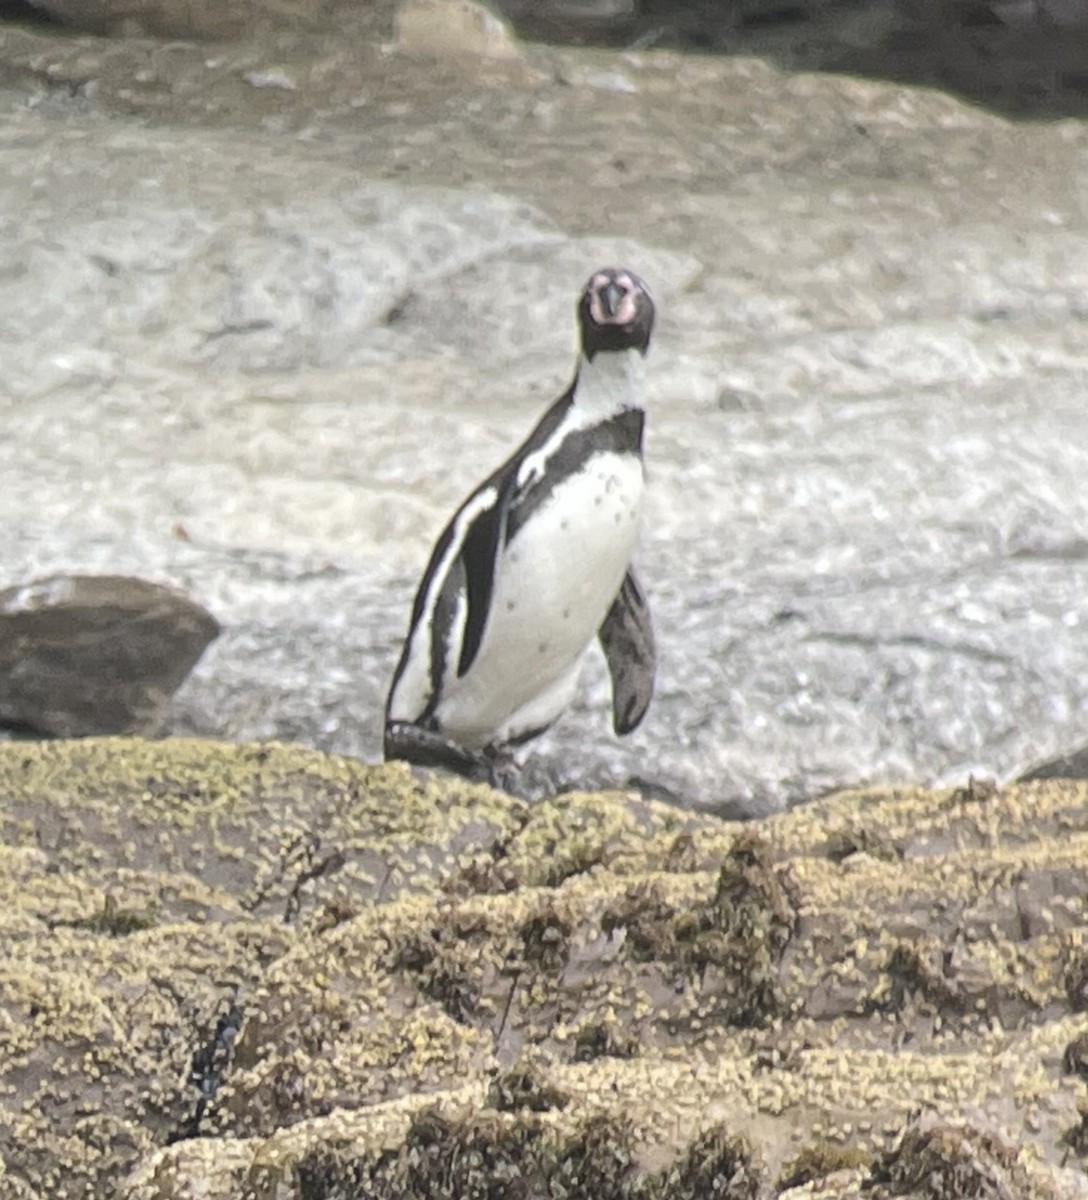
(85, 655)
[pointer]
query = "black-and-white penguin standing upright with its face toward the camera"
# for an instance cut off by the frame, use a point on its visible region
(536, 565)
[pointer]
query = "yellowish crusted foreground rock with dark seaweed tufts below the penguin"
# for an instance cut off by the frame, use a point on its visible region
(266, 973)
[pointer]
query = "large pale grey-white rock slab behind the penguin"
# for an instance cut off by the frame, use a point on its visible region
(269, 310)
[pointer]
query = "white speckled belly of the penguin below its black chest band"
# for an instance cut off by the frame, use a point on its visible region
(555, 584)
